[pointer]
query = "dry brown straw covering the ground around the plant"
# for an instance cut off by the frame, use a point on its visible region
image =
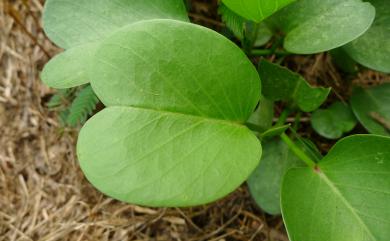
(44, 195)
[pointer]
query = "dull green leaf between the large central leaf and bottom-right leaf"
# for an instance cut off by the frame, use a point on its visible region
(265, 181)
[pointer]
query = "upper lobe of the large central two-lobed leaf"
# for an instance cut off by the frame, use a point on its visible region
(145, 68)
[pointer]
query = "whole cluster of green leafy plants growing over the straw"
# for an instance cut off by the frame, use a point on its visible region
(188, 117)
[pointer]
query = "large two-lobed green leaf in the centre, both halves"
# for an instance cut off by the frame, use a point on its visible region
(171, 135)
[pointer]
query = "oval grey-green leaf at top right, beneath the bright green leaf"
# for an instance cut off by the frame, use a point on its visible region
(313, 26)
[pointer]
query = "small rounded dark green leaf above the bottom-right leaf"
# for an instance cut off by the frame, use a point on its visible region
(333, 122)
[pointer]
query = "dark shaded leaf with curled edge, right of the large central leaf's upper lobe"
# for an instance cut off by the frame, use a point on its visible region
(280, 83)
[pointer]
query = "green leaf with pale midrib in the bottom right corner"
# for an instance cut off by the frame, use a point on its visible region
(346, 198)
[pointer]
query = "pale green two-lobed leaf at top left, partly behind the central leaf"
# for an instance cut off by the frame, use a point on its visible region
(78, 26)
